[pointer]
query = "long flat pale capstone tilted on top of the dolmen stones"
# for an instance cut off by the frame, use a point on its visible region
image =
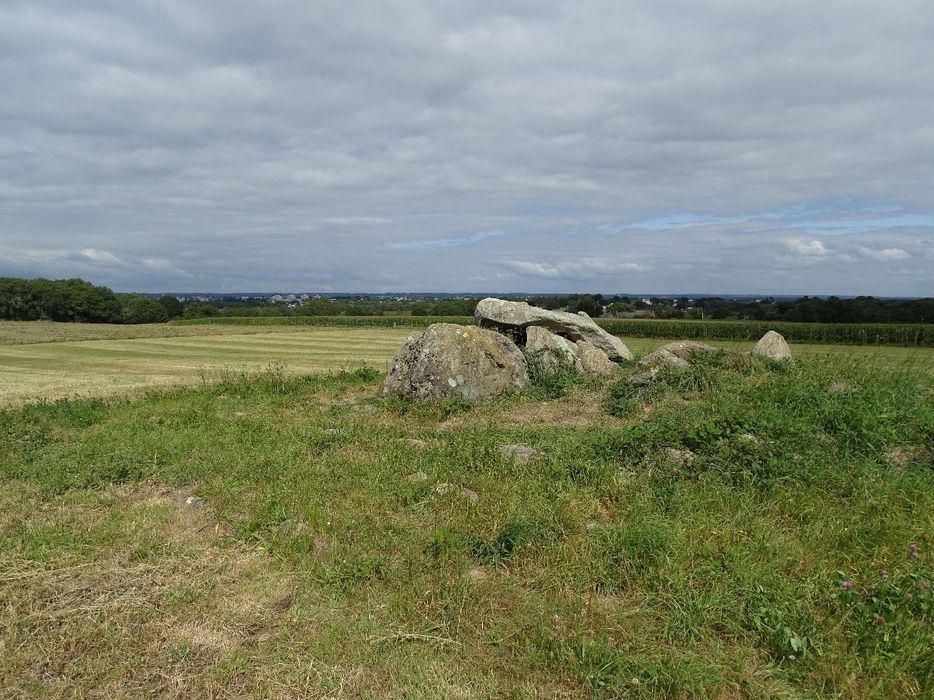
(499, 313)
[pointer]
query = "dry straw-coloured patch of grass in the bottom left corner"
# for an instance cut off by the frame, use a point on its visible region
(166, 608)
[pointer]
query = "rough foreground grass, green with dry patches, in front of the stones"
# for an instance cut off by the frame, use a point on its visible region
(776, 563)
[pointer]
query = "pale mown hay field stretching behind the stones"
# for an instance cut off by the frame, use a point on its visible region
(48, 361)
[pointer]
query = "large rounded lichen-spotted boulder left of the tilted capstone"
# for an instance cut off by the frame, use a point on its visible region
(451, 361)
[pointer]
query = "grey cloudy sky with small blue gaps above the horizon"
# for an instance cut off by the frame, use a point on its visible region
(511, 146)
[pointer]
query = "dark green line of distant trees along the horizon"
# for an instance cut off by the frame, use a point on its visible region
(80, 301)
